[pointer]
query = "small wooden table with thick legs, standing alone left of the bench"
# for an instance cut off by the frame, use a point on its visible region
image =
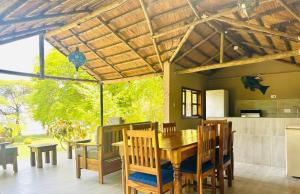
(38, 150)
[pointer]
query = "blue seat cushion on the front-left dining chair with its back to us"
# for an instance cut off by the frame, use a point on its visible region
(149, 179)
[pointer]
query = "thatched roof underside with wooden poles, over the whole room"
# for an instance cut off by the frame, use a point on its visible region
(128, 38)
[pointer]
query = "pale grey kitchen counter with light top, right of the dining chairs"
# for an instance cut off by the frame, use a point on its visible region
(261, 140)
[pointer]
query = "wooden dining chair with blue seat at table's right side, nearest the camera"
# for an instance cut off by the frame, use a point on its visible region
(202, 166)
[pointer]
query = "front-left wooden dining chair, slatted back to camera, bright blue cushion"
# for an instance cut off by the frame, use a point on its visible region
(142, 163)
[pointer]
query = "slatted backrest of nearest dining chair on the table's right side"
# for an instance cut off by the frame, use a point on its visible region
(206, 146)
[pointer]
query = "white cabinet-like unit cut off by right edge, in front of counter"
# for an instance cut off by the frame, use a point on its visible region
(293, 151)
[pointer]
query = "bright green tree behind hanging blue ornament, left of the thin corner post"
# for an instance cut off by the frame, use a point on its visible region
(53, 100)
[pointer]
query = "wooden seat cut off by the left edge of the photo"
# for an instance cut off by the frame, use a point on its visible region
(8, 155)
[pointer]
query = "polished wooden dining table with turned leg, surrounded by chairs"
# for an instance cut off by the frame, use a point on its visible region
(175, 147)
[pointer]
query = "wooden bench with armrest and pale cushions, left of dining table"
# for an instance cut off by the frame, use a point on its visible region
(101, 156)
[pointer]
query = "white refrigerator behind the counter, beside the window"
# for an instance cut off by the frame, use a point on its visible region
(217, 103)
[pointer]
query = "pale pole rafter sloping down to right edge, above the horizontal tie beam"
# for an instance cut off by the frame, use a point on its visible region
(259, 28)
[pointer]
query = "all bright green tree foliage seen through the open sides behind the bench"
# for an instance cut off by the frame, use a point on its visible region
(76, 101)
